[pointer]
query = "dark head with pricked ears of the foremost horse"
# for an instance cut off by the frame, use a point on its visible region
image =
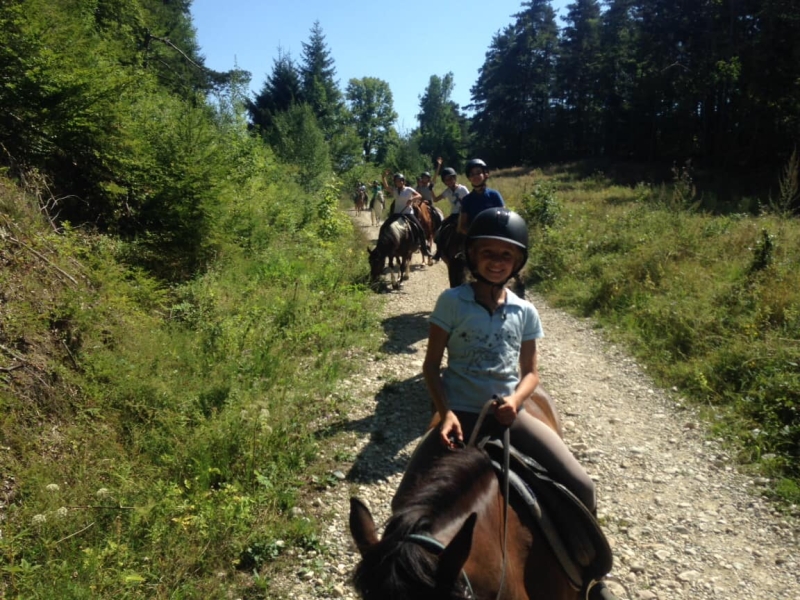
(407, 565)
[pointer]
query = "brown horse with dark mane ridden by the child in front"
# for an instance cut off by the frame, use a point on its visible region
(445, 539)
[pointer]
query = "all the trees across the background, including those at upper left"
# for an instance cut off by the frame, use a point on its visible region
(114, 87)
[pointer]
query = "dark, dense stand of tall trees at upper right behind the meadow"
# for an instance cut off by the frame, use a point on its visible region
(715, 81)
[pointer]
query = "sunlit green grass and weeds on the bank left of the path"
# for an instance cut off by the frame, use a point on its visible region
(154, 439)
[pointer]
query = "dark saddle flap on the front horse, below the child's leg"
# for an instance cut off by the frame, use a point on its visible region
(571, 530)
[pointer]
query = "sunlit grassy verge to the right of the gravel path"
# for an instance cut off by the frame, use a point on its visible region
(711, 304)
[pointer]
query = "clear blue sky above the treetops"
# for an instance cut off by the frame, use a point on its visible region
(403, 43)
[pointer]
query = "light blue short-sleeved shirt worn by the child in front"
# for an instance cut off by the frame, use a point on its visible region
(482, 349)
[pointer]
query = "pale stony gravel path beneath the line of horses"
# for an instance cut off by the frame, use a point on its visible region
(681, 521)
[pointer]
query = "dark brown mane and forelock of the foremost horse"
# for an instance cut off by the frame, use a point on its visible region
(395, 568)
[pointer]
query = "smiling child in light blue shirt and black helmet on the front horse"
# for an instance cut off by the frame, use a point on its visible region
(490, 336)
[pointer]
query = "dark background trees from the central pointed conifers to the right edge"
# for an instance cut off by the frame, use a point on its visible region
(647, 80)
